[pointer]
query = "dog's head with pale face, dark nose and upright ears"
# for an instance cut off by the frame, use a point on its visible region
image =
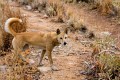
(62, 36)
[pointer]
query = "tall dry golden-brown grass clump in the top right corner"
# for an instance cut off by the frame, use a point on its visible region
(105, 7)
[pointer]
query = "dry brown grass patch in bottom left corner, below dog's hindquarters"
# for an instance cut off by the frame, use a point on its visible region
(16, 71)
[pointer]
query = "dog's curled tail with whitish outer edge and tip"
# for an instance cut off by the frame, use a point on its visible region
(8, 23)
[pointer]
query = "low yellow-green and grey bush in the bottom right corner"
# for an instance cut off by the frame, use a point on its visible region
(107, 66)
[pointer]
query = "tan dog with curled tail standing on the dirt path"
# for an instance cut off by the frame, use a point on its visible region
(46, 41)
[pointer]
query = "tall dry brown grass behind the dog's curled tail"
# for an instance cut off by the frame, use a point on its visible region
(8, 12)
